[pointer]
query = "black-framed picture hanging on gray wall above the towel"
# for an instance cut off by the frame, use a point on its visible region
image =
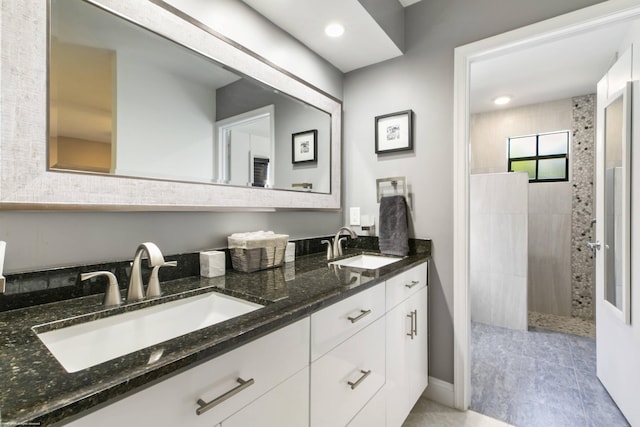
(394, 132)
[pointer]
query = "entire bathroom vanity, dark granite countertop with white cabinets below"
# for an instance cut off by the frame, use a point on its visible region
(333, 345)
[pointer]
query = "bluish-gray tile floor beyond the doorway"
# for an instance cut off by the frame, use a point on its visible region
(538, 378)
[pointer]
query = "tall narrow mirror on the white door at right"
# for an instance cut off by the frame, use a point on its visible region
(614, 188)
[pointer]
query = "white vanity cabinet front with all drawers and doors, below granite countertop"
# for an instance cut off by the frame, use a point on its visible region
(362, 361)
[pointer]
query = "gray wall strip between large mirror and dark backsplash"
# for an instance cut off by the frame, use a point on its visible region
(38, 240)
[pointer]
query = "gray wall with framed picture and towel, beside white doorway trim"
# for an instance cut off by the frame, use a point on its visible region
(422, 80)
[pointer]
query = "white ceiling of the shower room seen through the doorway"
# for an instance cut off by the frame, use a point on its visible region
(559, 69)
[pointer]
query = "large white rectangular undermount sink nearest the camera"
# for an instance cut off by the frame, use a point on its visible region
(87, 344)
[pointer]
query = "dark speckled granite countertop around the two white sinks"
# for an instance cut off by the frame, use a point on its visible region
(37, 389)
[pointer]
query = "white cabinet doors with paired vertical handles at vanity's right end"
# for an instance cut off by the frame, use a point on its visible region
(407, 356)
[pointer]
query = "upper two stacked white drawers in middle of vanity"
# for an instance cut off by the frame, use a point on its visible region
(348, 341)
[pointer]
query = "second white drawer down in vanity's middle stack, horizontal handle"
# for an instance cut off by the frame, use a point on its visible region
(346, 378)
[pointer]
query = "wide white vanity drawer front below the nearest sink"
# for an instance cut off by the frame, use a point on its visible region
(267, 361)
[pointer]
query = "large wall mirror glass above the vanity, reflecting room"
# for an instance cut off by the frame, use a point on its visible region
(125, 101)
